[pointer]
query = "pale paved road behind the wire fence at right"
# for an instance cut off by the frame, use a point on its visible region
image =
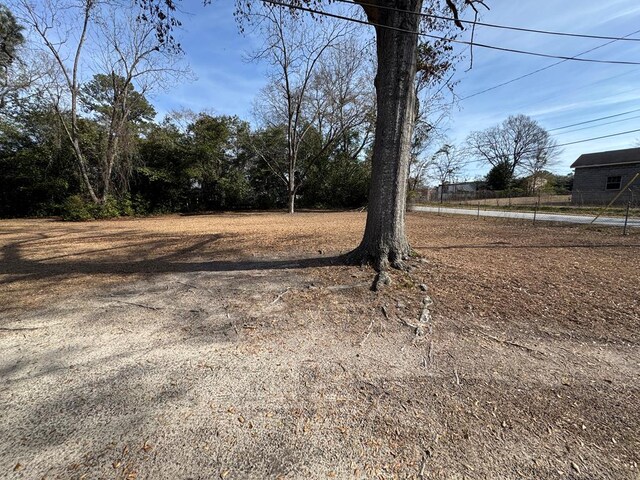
(543, 217)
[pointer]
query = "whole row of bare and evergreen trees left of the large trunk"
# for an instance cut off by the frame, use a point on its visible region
(89, 146)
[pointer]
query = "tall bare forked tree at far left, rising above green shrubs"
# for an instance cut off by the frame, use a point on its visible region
(94, 36)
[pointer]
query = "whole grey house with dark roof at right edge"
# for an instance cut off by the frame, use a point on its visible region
(601, 176)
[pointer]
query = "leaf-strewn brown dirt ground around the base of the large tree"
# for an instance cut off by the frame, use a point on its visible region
(236, 346)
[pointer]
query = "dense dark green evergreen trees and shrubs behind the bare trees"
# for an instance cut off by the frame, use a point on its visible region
(188, 162)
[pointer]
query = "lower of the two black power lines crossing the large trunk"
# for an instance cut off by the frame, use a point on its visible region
(463, 42)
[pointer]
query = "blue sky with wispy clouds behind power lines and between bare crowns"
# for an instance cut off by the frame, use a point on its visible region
(565, 94)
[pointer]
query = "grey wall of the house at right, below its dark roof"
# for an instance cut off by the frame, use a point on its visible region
(589, 185)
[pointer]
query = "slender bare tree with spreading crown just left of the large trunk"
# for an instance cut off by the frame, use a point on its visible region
(316, 92)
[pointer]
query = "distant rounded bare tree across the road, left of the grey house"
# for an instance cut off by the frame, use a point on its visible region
(519, 143)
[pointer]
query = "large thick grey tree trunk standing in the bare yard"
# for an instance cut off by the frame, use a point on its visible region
(384, 240)
